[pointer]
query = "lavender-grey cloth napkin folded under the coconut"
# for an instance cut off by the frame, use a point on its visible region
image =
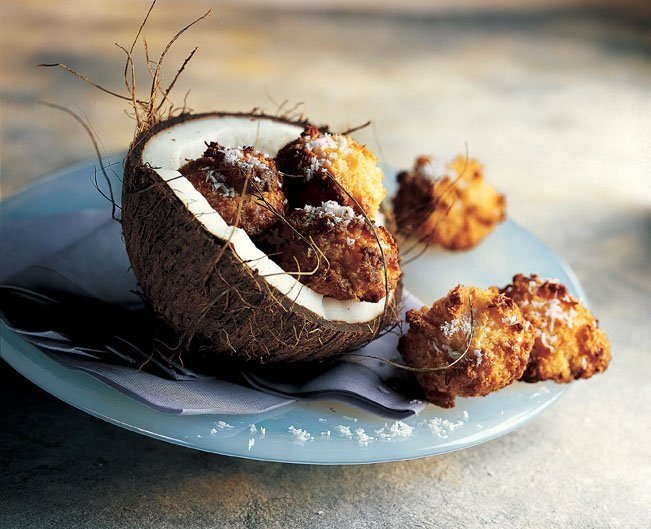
(61, 269)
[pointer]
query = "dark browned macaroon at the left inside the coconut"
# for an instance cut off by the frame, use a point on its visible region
(237, 181)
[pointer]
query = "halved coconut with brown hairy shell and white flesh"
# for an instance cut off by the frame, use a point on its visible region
(207, 280)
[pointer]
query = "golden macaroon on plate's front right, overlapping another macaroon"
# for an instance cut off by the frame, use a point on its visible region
(496, 340)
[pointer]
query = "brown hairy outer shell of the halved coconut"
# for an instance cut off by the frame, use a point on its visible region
(200, 288)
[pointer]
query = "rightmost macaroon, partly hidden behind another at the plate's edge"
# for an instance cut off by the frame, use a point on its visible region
(569, 343)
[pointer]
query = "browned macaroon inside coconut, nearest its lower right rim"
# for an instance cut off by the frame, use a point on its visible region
(348, 264)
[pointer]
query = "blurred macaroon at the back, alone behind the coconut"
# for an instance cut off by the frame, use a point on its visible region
(450, 205)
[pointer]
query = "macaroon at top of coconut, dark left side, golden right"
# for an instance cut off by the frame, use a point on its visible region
(318, 166)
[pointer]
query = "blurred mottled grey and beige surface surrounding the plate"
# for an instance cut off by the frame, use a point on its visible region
(555, 102)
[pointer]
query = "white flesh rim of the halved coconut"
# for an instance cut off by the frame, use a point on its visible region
(168, 150)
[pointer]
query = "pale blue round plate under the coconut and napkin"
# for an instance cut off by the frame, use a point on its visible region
(317, 433)
